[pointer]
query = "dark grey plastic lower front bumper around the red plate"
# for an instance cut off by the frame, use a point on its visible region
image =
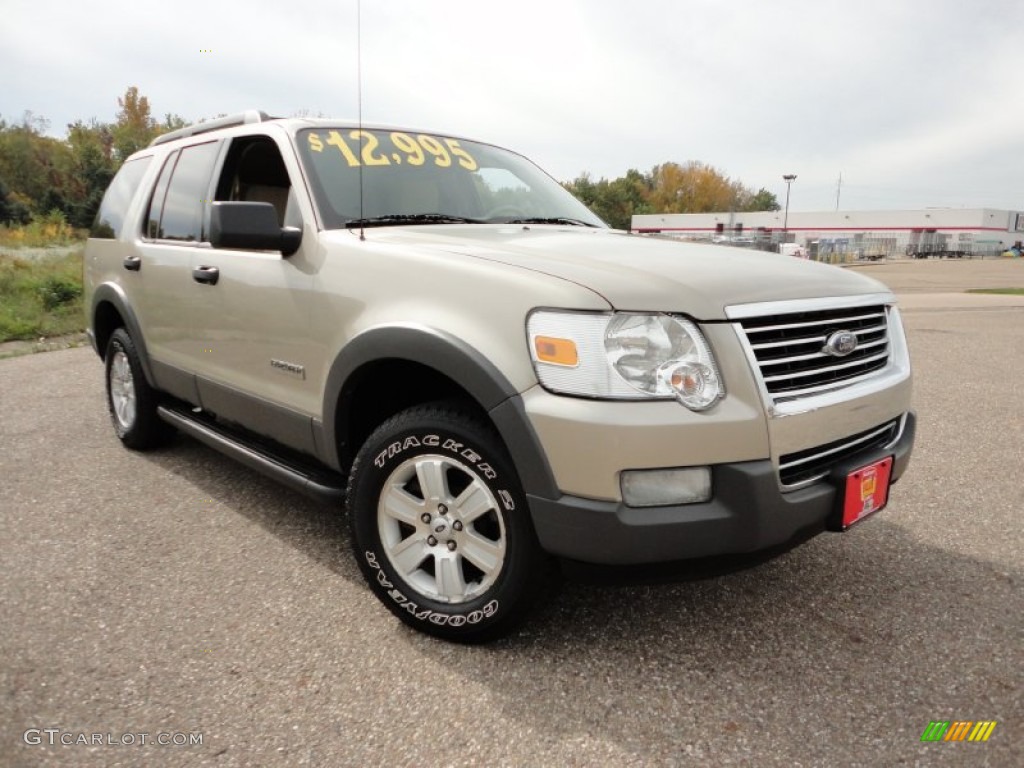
(749, 513)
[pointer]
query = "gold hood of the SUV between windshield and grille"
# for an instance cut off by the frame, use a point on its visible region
(637, 273)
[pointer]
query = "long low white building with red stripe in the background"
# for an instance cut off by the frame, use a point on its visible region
(843, 235)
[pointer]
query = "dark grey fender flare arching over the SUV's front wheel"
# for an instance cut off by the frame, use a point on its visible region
(459, 362)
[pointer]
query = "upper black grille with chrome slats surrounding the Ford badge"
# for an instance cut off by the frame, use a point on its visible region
(789, 350)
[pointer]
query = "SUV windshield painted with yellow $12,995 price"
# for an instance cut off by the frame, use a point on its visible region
(425, 179)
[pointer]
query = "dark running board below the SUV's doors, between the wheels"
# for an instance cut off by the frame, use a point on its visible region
(322, 485)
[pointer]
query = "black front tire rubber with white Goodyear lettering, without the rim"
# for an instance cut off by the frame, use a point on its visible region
(416, 434)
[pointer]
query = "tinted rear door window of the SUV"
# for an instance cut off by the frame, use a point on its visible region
(179, 215)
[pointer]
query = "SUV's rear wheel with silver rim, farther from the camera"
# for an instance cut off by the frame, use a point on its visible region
(132, 401)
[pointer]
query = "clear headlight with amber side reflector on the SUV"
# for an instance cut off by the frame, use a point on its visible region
(626, 356)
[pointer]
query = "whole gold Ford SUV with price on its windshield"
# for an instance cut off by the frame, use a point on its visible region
(433, 333)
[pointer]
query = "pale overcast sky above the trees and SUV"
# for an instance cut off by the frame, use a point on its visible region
(916, 103)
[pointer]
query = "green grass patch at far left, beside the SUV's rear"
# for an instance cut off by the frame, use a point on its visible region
(40, 297)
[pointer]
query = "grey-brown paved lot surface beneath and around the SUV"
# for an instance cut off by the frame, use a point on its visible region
(180, 593)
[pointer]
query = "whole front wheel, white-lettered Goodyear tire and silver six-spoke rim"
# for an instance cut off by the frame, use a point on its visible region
(441, 527)
